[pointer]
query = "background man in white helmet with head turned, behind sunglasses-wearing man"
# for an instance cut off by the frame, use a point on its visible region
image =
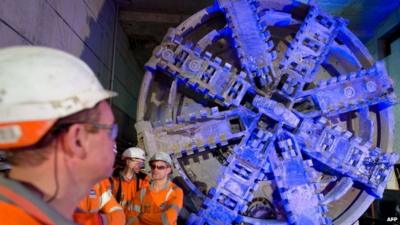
(127, 182)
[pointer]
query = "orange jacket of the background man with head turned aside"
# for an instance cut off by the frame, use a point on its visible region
(125, 190)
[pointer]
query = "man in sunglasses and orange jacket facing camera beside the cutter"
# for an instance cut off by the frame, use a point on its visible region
(159, 203)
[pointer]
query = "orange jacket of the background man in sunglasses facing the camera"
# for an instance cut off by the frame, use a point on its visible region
(157, 208)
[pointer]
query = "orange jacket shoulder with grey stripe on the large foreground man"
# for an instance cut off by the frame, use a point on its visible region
(18, 205)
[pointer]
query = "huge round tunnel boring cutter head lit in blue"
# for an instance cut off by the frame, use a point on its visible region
(273, 112)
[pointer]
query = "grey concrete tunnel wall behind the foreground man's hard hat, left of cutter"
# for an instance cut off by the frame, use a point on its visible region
(84, 28)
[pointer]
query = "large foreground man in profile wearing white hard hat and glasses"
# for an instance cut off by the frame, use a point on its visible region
(57, 131)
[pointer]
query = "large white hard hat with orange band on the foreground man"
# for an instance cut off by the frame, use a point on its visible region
(39, 85)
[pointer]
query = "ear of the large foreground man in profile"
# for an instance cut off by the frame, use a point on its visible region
(74, 141)
